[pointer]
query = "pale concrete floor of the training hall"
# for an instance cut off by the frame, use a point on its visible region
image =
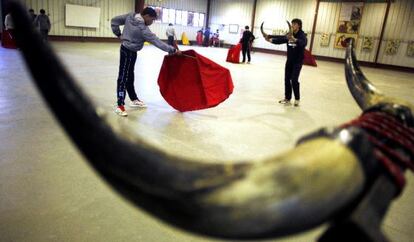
(49, 193)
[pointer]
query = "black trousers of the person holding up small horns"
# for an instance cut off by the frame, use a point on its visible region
(292, 71)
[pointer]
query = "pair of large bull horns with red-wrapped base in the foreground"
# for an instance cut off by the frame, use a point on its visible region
(328, 177)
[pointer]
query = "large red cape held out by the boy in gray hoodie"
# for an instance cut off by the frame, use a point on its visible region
(192, 82)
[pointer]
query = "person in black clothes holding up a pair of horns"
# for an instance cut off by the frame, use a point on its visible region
(296, 42)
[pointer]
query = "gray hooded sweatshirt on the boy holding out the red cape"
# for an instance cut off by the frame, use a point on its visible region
(135, 33)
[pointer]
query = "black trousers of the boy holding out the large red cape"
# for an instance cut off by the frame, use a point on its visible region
(126, 76)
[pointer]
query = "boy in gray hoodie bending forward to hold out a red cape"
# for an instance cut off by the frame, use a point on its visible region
(133, 36)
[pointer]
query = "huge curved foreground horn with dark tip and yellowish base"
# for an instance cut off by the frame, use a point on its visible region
(276, 196)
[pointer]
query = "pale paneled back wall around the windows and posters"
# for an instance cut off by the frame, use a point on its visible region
(400, 23)
